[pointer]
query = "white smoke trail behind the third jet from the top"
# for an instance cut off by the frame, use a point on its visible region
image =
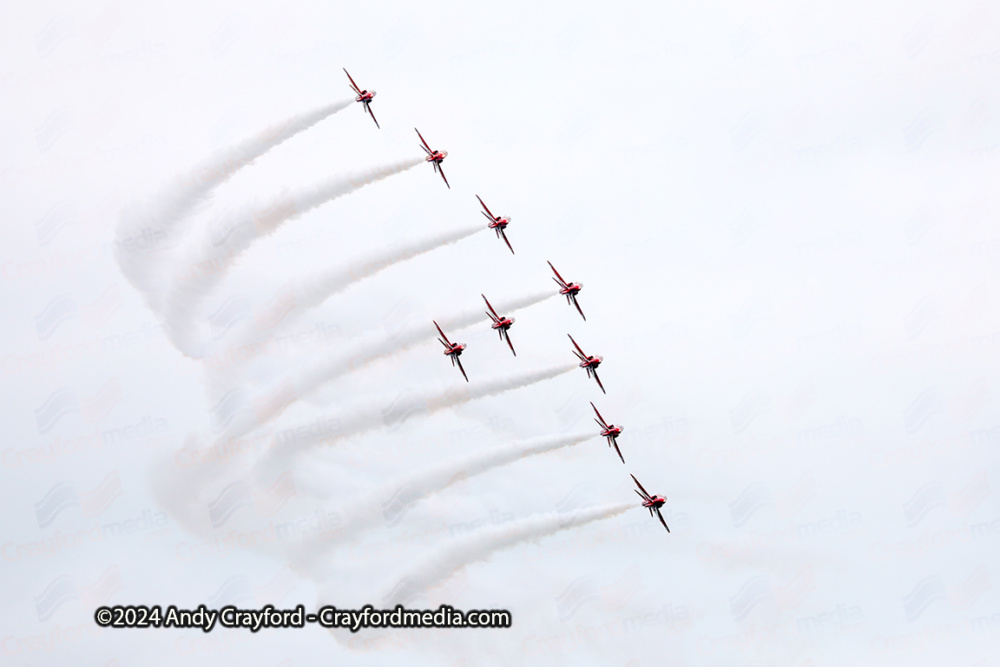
(316, 290)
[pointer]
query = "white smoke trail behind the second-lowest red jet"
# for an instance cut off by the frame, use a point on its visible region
(386, 506)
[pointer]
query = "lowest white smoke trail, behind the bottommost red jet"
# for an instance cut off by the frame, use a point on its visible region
(481, 545)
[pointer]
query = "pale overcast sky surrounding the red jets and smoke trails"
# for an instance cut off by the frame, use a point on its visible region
(784, 219)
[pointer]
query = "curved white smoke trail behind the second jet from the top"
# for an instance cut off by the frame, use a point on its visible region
(235, 235)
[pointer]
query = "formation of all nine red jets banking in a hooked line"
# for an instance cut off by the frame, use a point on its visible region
(501, 324)
